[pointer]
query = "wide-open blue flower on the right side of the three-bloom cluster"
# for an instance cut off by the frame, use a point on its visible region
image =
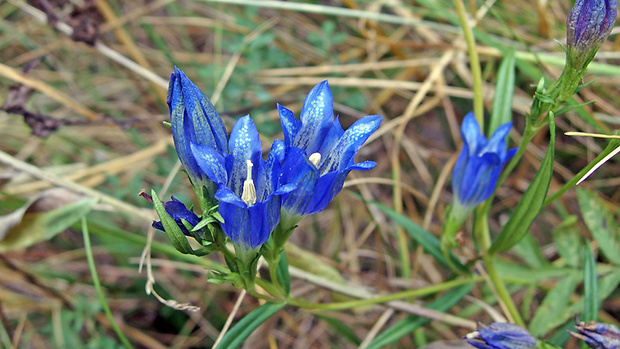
(319, 153)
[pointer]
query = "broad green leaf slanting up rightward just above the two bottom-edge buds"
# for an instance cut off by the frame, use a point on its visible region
(555, 308)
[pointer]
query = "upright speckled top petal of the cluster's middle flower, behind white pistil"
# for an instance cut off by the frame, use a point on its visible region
(244, 145)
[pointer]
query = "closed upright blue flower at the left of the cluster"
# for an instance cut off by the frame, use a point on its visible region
(194, 120)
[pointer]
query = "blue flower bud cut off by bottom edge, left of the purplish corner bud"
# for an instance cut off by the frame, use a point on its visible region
(500, 335)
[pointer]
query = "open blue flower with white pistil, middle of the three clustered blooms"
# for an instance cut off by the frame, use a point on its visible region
(248, 191)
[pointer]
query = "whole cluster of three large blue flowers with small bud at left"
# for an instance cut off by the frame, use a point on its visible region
(301, 175)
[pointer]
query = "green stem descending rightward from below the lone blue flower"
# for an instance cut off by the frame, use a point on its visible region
(483, 238)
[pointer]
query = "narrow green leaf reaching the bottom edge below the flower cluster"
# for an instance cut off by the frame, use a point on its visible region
(237, 335)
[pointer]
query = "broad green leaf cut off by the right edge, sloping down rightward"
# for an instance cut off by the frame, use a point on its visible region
(601, 224)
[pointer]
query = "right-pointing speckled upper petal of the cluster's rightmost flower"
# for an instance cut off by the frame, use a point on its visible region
(341, 156)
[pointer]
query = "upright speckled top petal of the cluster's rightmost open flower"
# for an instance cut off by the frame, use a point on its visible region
(317, 114)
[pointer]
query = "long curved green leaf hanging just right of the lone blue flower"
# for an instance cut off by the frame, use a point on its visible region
(531, 203)
